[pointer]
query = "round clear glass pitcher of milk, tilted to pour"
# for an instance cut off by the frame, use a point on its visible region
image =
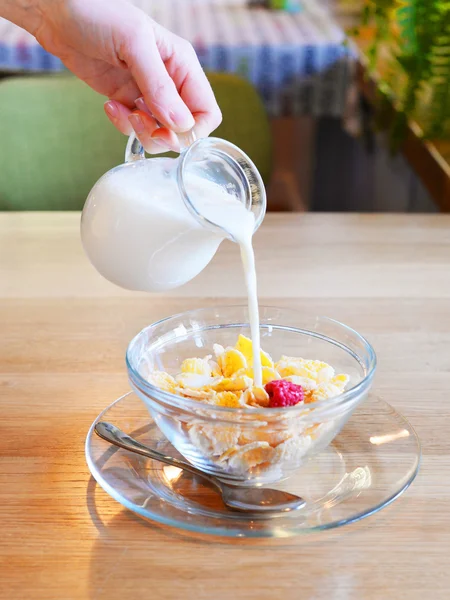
(144, 225)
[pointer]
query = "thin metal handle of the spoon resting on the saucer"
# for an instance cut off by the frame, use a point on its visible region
(117, 437)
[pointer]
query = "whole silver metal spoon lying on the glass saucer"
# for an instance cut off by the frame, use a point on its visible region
(257, 500)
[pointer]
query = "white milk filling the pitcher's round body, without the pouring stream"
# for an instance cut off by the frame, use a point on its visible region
(138, 233)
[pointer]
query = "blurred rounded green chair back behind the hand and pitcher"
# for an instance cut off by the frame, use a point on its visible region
(55, 141)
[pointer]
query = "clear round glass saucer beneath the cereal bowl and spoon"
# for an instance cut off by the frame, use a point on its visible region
(368, 465)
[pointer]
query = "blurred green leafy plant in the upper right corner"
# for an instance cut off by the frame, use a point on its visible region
(416, 33)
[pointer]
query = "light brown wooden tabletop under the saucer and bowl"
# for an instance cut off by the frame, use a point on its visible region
(63, 332)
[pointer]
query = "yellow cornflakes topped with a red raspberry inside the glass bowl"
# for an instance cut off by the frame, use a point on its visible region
(225, 379)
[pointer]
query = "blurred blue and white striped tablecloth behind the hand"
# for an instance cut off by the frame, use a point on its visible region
(298, 62)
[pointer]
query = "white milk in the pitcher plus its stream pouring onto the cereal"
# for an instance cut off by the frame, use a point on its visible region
(139, 234)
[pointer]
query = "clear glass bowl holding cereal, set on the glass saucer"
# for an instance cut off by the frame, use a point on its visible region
(249, 446)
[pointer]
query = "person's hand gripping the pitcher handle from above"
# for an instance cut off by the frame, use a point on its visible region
(148, 73)
